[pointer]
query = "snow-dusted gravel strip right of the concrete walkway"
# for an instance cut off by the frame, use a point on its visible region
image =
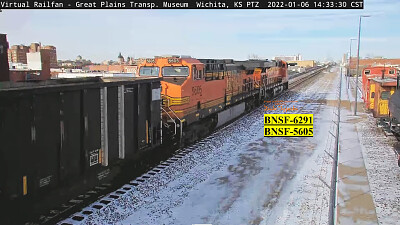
(382, 168)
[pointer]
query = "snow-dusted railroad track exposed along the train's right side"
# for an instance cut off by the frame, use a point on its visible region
(123, 193)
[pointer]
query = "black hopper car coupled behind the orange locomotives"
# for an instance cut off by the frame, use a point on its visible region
(61, 137)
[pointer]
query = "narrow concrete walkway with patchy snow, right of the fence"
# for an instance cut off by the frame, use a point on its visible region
(355, 203)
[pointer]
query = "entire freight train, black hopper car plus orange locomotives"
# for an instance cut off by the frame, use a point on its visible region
(62, 137)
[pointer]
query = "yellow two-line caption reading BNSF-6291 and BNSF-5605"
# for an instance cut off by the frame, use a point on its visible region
(288, 125)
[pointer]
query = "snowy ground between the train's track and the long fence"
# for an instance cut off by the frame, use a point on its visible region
(238, 176)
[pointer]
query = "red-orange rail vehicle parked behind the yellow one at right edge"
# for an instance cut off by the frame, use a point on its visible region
(368, 88)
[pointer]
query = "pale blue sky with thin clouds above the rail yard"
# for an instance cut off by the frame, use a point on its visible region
(101, 34)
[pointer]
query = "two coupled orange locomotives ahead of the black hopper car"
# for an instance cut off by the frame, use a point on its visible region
(213, 91)
